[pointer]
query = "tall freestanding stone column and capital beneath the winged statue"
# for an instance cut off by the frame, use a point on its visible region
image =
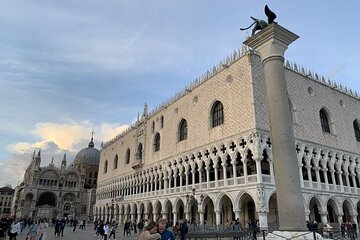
(271, 43)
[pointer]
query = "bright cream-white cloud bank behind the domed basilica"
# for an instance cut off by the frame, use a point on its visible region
(55, 139)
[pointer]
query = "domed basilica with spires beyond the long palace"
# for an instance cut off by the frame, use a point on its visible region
(57, 192)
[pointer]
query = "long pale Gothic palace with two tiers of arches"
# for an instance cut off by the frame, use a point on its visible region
(206, 154)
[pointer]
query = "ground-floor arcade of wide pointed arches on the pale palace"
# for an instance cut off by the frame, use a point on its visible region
(219, 208)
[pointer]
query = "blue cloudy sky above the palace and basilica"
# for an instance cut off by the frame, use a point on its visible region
(69, 67)
